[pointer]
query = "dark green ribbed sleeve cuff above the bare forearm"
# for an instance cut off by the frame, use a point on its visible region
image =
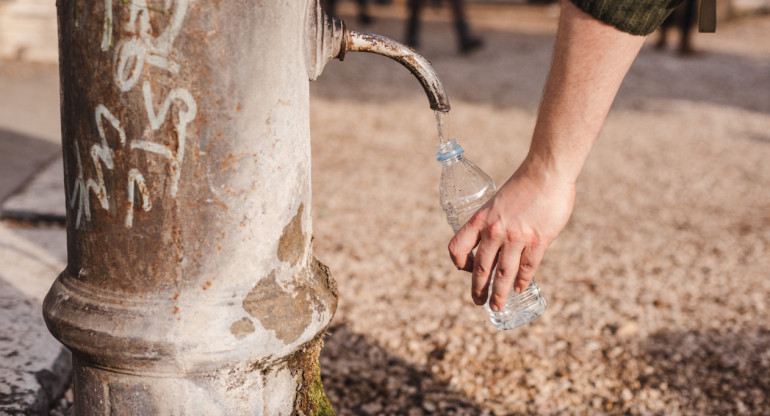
(637, 17)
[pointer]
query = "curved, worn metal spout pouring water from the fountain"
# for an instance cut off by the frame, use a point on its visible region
(417, 64)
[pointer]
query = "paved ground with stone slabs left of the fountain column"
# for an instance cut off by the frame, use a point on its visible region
(35, 368)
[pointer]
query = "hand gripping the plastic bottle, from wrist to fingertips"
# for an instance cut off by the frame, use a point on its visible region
(513, 230)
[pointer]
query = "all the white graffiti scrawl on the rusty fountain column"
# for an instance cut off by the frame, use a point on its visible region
(141, 47)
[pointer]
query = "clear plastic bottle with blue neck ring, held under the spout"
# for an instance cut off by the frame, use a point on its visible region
(464, 188)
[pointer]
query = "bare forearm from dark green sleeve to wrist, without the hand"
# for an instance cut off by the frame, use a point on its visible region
(590, 61)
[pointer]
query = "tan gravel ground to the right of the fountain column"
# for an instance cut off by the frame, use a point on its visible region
(657, 289)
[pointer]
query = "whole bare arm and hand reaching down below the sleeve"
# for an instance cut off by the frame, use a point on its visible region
(533, 206)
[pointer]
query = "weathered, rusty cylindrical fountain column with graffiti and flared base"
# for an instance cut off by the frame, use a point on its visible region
(191, 287)
